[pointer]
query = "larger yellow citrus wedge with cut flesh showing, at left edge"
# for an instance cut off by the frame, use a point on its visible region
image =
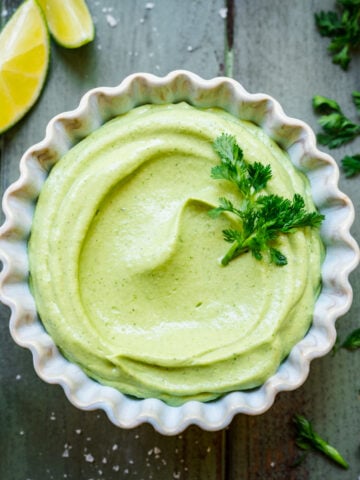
(24, 59)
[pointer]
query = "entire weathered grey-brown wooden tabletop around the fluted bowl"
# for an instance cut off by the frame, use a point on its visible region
(270, 46)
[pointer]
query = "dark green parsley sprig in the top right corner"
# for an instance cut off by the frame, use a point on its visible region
(343, 29)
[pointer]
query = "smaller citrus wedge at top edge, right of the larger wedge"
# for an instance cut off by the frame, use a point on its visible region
(69, 22)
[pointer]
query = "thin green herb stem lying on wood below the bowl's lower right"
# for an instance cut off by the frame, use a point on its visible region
(308, 439)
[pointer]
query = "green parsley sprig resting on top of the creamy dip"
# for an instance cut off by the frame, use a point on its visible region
(262, 217)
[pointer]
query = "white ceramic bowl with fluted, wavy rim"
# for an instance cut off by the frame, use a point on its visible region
(100, 105)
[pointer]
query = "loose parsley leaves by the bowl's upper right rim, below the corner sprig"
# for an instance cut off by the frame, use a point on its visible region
(338, 129)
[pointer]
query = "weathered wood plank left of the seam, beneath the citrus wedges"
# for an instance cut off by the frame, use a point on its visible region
(42, 436)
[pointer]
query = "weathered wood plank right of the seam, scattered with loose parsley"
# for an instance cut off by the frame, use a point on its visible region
(277, 50)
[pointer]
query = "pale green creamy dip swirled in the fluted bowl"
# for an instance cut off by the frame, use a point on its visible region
(124, 259)
